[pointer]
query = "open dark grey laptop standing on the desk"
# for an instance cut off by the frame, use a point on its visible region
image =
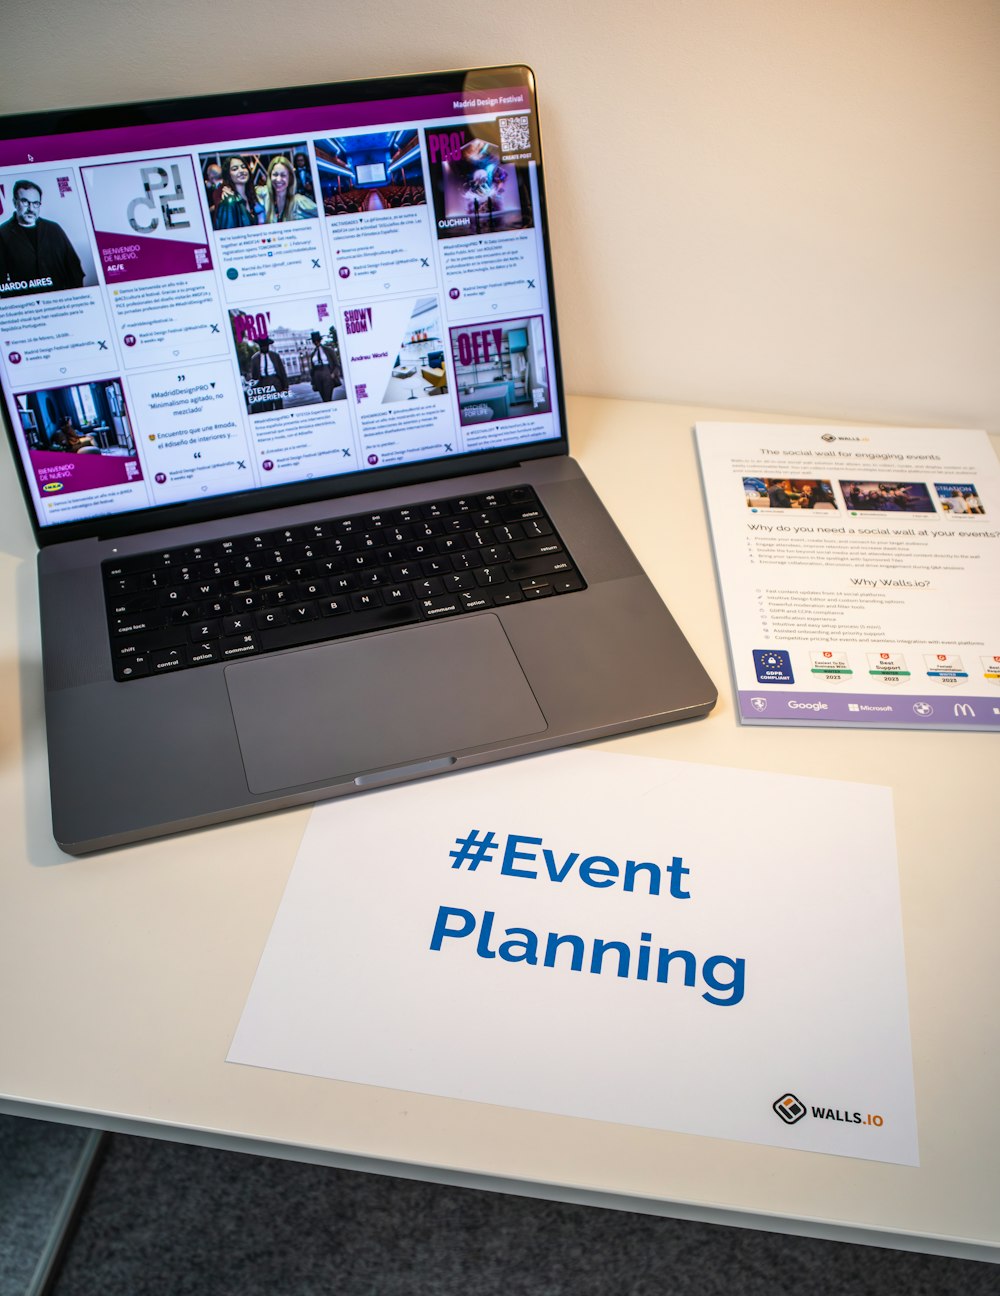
(282, 378)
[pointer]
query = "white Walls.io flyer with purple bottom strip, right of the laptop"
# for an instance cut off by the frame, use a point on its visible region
(861, 572)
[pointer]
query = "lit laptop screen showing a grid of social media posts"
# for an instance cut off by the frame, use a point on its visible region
(274, 296)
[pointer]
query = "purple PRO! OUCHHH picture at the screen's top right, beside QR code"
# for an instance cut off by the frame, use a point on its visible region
(481, 185)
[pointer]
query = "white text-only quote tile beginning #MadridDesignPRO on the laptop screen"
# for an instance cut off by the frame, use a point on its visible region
(194, 439)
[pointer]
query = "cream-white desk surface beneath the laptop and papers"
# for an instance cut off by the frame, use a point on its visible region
(124, 977)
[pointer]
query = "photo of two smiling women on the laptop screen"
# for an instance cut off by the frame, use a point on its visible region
(261, 185)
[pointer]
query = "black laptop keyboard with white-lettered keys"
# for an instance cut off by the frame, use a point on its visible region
(349, 576)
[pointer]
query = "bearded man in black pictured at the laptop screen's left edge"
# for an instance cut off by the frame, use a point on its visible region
(36, 255)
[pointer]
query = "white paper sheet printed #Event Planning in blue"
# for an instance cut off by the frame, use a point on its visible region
(688, 948)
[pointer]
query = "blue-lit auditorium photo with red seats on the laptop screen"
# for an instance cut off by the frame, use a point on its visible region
(371, 173)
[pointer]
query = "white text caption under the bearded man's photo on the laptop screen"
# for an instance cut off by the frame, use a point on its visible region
(62, 336)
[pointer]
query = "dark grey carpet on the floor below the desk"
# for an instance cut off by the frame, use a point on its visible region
(169, 1220)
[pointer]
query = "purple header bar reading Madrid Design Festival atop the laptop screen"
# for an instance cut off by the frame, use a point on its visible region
(201, 133)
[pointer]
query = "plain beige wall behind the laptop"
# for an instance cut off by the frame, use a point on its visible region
(788, 205)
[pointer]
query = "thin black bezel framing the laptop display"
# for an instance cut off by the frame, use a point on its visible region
(163, 112)
